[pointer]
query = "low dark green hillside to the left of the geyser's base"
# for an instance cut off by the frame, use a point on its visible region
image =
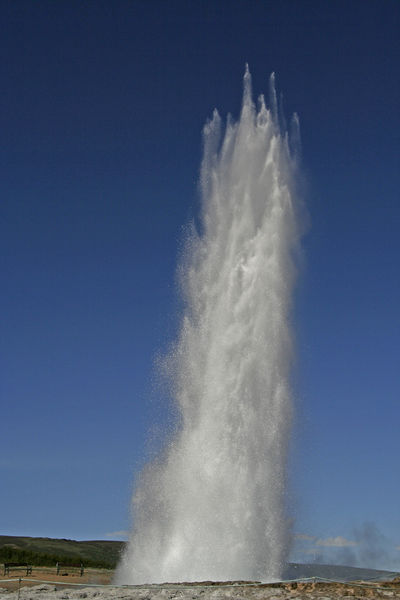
(47, 551)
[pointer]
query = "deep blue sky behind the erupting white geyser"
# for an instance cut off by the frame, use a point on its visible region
(102, 106)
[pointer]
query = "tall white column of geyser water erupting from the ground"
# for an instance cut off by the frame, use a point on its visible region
(213, 508)
